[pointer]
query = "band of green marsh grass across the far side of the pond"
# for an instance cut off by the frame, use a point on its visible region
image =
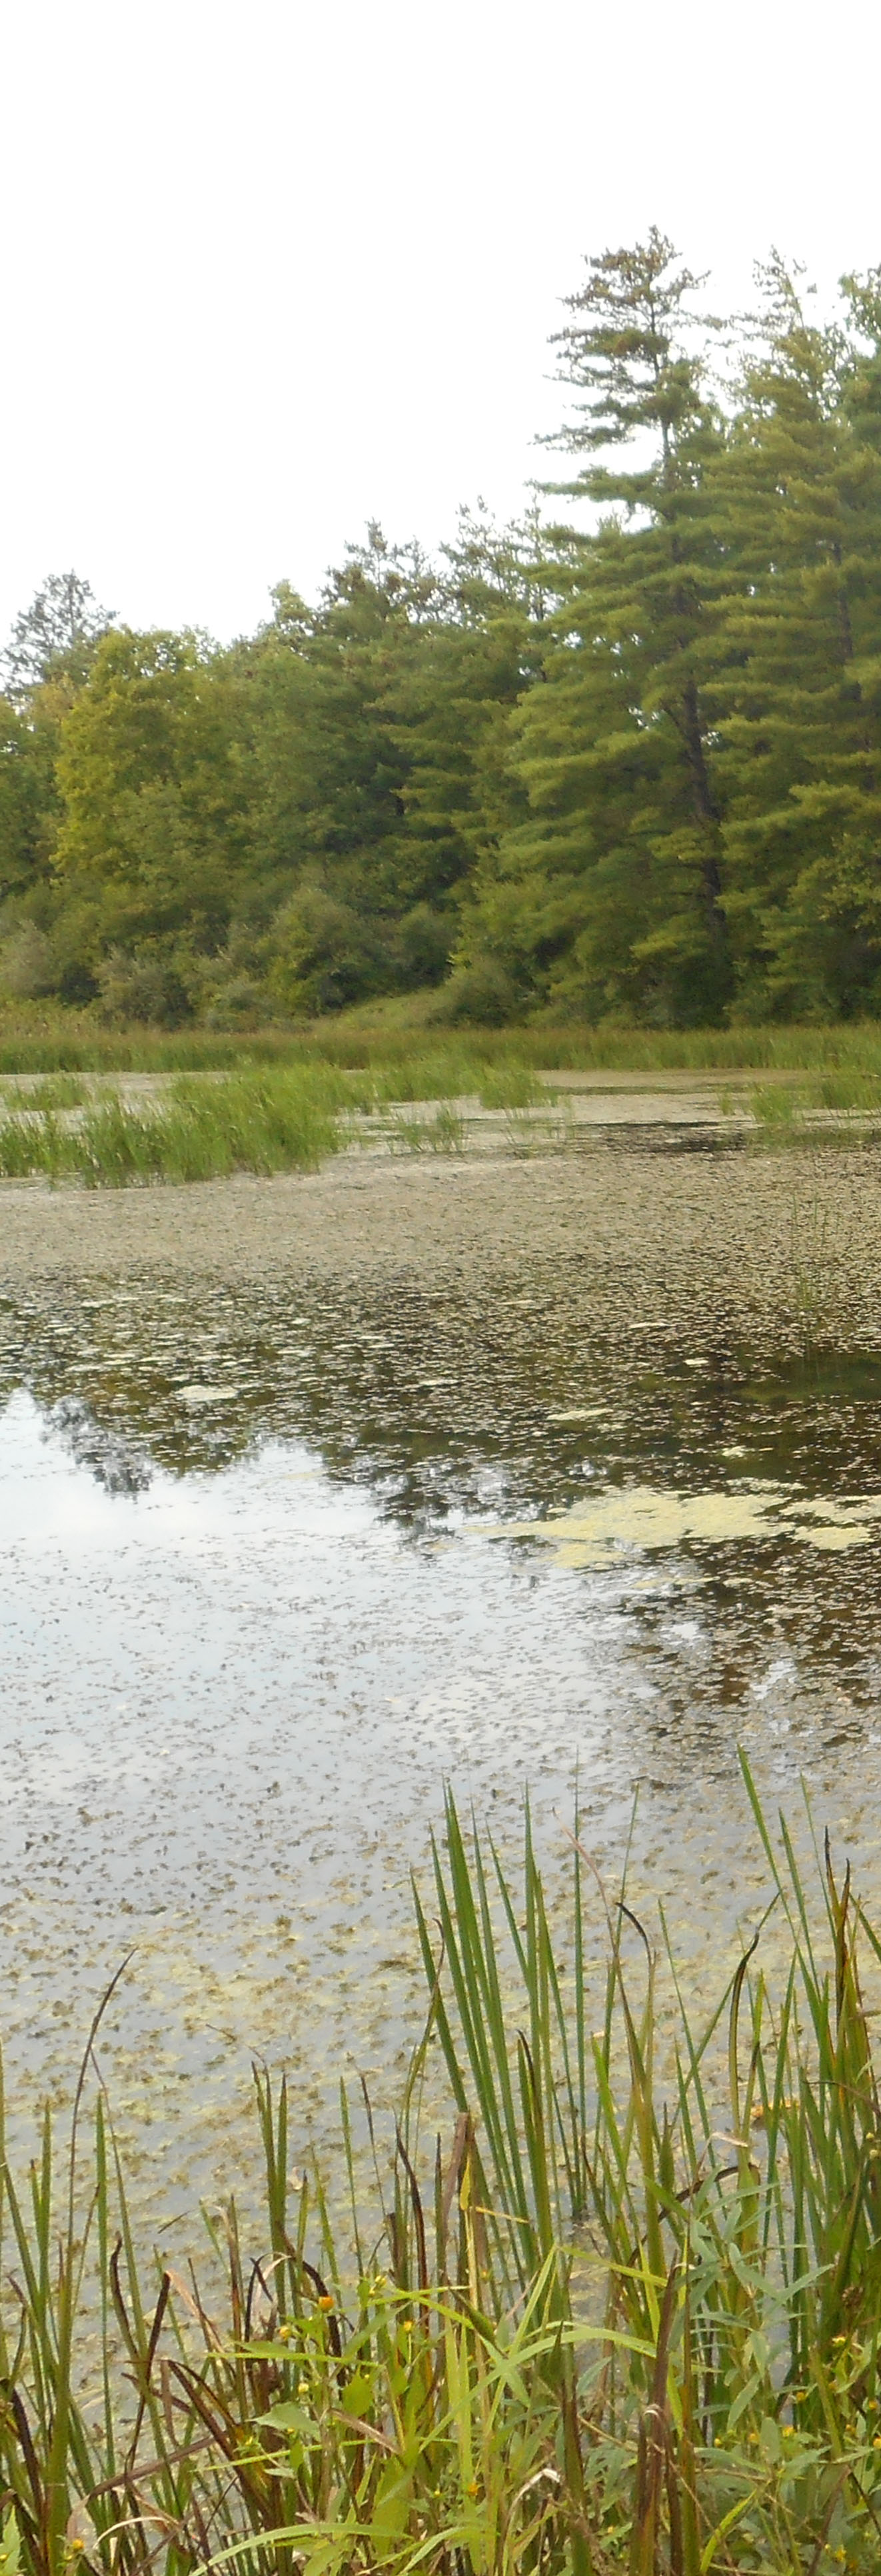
(292, 1117)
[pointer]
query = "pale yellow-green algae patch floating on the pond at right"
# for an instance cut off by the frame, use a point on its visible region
(643, 1516)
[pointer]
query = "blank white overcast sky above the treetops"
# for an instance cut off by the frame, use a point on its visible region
(274, 267)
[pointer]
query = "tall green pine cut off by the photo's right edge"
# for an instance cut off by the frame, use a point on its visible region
(797, 504)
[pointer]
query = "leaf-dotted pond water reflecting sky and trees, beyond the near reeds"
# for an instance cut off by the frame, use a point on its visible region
(279, 1562)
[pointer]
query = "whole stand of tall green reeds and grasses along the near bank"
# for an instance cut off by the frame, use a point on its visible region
(625, 2317)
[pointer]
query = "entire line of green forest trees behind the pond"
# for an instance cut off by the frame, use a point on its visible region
(622, 759)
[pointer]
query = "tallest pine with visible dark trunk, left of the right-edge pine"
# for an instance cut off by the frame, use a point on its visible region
(612, 887)
